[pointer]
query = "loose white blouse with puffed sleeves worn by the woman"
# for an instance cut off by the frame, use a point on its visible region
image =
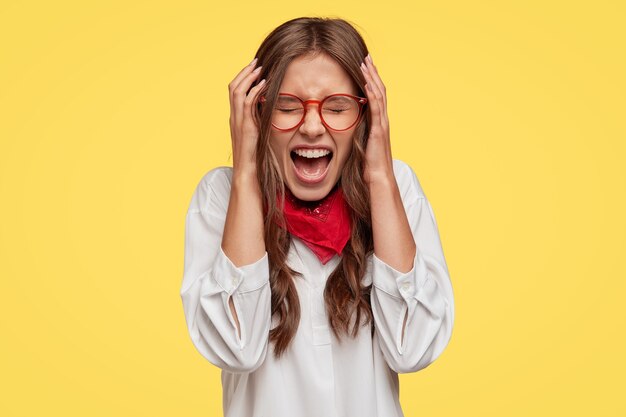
(317, 376)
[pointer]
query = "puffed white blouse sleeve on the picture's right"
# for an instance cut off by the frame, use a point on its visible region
(424, 294)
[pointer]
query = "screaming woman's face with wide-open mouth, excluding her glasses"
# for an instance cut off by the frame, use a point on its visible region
(308, 175)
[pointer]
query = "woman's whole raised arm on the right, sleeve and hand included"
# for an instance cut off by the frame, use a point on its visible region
(411, 295)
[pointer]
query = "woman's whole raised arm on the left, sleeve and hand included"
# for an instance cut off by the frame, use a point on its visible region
(226, 293)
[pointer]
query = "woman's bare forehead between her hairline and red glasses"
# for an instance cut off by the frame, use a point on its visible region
(316, 77)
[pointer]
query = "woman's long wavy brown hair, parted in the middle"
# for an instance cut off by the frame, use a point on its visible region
(347, 301)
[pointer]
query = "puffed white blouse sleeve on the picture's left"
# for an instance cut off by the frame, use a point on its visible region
(210, 279)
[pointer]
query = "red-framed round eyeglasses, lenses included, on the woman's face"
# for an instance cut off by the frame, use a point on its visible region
(337, 111)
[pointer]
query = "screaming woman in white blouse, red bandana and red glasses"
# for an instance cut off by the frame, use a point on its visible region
(314, 273)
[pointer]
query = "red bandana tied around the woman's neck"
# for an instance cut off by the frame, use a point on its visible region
(324, 226)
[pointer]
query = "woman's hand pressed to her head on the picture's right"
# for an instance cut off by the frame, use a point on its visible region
(379, 163)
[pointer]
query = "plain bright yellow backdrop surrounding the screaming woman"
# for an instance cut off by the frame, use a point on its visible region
(511, 114)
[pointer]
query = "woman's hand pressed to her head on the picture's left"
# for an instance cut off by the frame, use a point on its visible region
(244, 131)
